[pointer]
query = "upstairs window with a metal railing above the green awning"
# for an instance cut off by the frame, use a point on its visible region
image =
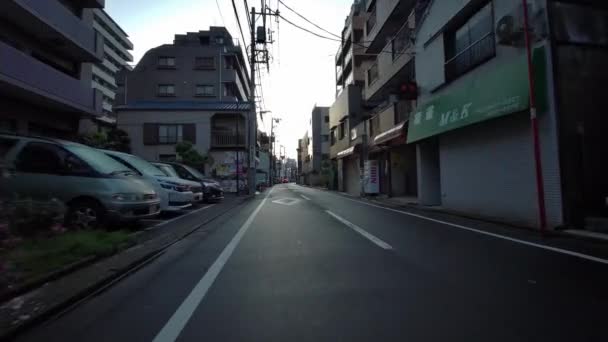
(470, 44)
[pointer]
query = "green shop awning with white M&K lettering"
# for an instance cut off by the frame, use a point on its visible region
(500, 91)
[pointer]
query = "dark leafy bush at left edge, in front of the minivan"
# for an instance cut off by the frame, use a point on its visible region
(28, 217)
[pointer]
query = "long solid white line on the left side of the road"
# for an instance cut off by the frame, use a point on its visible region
(180, 318)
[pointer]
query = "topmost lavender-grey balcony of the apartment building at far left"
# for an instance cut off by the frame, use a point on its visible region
(52, 23)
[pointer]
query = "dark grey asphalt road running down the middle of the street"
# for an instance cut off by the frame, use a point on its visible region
(300, 264)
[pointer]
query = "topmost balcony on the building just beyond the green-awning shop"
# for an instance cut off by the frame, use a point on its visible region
(388, 17)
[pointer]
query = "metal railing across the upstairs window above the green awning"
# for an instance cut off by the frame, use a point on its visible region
(475, 54)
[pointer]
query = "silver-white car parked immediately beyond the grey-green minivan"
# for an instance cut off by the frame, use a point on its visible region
(175, 194)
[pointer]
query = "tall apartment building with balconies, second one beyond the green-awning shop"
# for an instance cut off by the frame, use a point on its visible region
(347, 113)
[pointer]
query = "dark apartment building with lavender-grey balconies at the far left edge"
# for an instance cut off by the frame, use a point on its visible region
(47, 52)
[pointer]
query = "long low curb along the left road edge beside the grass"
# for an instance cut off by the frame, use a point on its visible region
(104, 283)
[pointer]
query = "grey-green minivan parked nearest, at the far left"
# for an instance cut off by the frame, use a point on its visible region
(95, 188)
